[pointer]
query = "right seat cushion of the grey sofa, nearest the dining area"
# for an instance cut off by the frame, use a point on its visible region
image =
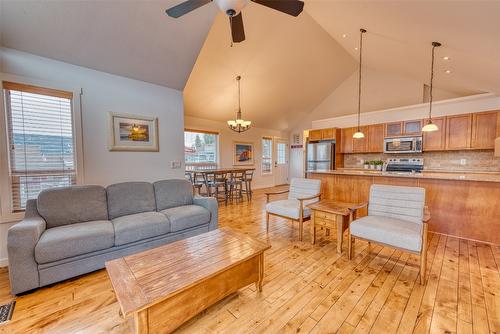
(186, 216)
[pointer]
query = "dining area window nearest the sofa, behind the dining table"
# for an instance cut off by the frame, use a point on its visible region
(201, 149)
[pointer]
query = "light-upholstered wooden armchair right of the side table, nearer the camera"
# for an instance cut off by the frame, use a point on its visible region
(397, 217)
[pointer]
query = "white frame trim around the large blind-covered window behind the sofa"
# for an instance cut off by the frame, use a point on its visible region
(6, 213)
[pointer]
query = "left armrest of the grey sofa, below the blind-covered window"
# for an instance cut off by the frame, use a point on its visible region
(21, 241)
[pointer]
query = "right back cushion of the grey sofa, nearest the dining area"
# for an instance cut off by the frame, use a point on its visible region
(172, 193)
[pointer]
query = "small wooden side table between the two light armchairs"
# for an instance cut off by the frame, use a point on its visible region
(332, 214)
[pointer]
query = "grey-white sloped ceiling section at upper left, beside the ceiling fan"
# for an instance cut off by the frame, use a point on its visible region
(135, 39)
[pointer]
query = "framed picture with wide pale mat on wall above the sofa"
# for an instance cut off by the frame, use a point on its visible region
(132, 133)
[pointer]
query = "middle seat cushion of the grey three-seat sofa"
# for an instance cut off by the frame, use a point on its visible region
(139, 226)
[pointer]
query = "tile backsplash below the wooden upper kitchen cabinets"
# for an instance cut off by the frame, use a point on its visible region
(475, 161)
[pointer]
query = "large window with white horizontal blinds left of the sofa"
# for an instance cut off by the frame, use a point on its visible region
(40, 139)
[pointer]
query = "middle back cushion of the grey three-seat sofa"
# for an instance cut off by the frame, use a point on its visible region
(130, 197)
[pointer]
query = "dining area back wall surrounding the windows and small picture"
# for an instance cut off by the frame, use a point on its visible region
(226, 139)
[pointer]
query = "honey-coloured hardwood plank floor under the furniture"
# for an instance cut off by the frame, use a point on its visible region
(307, 289)
